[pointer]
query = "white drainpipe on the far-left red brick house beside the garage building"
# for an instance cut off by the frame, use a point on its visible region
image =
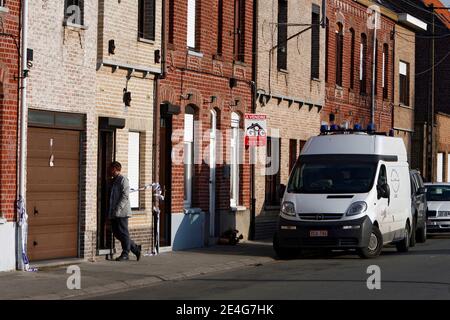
(21, 207)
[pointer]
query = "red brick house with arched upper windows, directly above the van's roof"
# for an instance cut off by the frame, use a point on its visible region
(350, 46)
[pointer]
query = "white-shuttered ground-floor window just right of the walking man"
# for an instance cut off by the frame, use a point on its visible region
(134, 167)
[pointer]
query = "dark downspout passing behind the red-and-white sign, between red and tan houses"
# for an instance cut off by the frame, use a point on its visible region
(254, 97)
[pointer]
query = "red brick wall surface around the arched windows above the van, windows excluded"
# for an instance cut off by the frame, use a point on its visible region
(348, 104)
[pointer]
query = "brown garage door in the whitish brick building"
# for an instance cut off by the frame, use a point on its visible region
(52, 193)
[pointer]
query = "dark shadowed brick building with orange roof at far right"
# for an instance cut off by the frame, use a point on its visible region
(432, 96)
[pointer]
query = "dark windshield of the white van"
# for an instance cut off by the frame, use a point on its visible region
(332, 177)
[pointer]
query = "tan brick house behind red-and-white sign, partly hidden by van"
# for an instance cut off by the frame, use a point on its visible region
(291, 92)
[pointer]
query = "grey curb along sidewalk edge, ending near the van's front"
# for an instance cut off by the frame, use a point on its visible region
(127, 285)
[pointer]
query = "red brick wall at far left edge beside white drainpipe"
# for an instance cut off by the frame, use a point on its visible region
(9, 24)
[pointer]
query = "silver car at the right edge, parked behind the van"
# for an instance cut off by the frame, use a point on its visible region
(438, 213)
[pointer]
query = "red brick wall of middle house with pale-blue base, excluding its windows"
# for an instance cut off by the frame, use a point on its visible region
(205, 77)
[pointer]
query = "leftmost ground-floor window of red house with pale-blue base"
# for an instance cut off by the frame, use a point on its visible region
(188, 155)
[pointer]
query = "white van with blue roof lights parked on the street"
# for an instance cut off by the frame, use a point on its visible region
(347, 191)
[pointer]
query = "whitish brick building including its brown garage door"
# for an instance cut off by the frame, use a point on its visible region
(62, 129)
